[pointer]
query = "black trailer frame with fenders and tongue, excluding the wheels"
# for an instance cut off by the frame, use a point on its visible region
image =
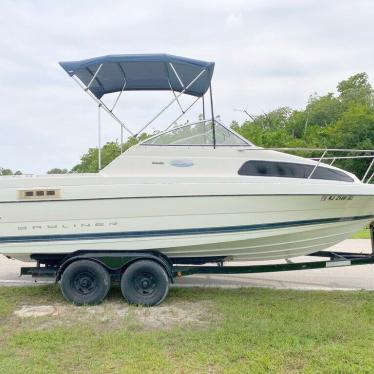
(117, 262)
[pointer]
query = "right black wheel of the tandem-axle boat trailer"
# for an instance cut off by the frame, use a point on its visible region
(145, 282)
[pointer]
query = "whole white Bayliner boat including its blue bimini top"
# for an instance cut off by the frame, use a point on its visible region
(196, 193)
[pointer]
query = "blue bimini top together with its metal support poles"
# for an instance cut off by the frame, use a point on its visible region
(145, 72)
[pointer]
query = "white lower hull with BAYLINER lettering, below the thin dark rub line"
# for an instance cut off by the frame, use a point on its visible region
(241, 227)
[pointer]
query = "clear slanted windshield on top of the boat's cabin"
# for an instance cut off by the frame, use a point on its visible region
(200, 133)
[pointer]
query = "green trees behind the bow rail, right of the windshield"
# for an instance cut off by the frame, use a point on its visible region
(343, 120)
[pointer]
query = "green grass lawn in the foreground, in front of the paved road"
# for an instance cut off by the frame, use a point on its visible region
(247, 331)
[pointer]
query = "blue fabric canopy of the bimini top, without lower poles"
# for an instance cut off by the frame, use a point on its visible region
(145, 72)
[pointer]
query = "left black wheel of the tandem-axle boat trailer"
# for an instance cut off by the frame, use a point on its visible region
(85, 282)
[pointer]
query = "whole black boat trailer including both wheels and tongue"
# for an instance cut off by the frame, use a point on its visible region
(140, 272)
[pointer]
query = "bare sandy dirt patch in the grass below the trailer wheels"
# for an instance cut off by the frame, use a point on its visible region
(115, 314)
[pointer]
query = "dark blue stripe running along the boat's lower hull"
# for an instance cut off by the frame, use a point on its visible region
(177, 232)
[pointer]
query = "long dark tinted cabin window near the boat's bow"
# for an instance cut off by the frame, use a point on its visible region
(291, 170)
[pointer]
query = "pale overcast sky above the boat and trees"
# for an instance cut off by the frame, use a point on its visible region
(268, 54)
